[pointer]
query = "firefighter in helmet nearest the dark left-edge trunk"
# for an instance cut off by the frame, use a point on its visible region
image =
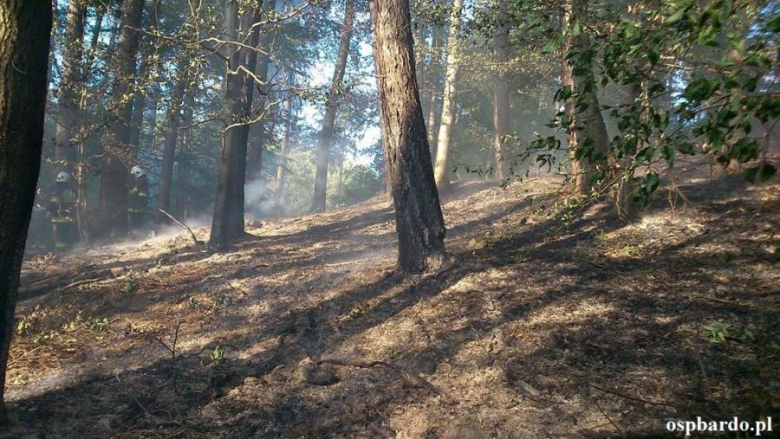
(62, 211)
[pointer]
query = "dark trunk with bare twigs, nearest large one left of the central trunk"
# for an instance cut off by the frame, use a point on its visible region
(228, 219)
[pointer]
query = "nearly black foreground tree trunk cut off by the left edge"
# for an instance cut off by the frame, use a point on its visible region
(24, 49)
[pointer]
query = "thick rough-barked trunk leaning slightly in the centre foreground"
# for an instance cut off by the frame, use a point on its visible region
(418, 217)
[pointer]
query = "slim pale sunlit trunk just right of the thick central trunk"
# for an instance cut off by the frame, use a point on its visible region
(501, 96)
